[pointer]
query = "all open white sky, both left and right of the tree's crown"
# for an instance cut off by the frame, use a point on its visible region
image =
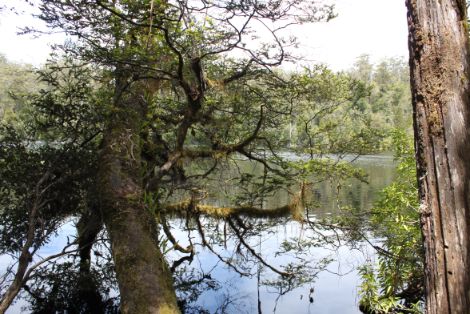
(374, 27)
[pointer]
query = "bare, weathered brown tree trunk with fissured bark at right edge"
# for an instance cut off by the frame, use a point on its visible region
(438, 44)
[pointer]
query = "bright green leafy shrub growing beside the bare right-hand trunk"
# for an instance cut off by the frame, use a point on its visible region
(396, 282)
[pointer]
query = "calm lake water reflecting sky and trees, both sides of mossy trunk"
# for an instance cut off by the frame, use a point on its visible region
(323, 260)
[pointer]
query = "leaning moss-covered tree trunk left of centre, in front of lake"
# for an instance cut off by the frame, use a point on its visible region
(145, 282)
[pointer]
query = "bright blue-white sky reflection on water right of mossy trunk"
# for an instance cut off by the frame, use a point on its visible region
(324, 275)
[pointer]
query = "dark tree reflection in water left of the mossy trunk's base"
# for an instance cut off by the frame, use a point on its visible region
(83, 282)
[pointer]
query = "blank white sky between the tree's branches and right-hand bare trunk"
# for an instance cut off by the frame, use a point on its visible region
(374, 27)
